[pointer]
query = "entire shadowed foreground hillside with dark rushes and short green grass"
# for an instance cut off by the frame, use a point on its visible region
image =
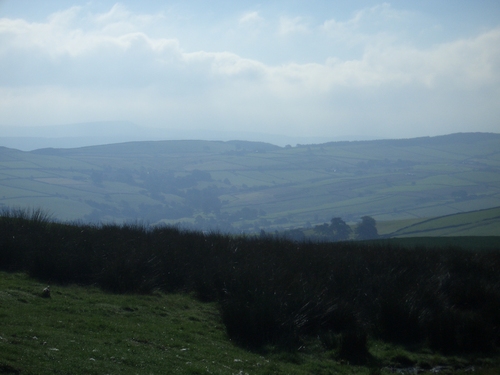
(132, 299)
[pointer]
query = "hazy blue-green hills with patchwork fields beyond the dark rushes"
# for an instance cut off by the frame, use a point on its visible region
(247, 186)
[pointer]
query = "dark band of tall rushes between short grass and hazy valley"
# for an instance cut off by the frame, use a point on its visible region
(272, 290)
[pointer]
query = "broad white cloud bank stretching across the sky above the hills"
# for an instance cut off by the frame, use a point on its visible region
(78, 66)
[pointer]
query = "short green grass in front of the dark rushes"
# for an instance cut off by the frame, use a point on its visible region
(83, 330)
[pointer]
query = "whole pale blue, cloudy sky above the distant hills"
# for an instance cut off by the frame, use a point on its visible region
(318, 68)
